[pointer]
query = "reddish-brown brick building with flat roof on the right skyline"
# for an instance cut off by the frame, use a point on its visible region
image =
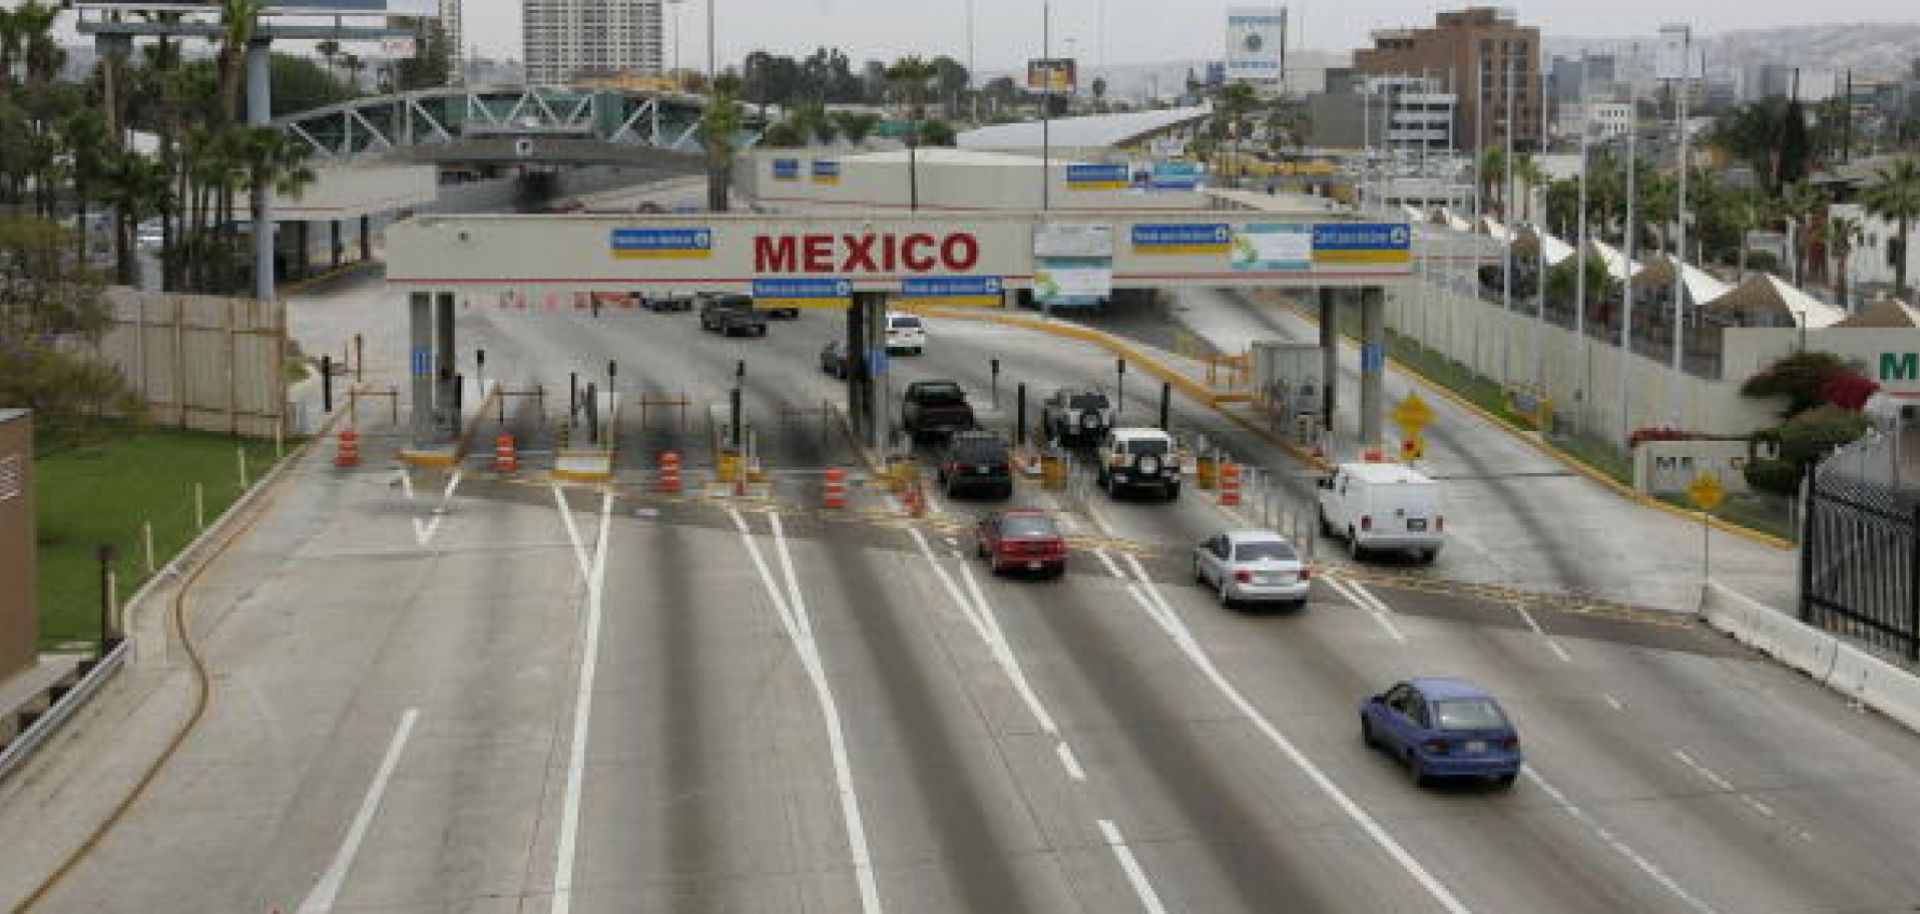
(1476, 53)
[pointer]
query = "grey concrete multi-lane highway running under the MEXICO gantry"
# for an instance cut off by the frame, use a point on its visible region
(487, 696)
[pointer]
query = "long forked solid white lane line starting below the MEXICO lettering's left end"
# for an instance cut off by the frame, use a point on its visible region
(792, 608)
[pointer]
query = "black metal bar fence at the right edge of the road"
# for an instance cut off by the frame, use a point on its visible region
(1861, 550)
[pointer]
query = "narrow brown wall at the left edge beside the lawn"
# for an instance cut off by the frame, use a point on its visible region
(20, 619)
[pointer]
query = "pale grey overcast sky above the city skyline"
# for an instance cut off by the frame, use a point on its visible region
(1141, 32)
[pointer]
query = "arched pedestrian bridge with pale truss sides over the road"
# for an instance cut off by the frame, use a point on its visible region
(508, 124)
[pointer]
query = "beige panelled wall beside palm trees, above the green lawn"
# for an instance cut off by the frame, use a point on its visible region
(203, 362)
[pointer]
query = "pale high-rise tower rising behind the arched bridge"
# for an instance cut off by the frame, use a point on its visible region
(569, 39)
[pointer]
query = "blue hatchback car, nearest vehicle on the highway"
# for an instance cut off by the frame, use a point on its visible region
(1443, 729)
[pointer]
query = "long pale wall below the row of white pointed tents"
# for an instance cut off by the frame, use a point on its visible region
(1476, 333)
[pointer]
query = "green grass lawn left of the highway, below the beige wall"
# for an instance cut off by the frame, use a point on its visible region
(103, 494)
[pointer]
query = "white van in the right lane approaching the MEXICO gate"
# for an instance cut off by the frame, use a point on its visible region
(1383, 506)
